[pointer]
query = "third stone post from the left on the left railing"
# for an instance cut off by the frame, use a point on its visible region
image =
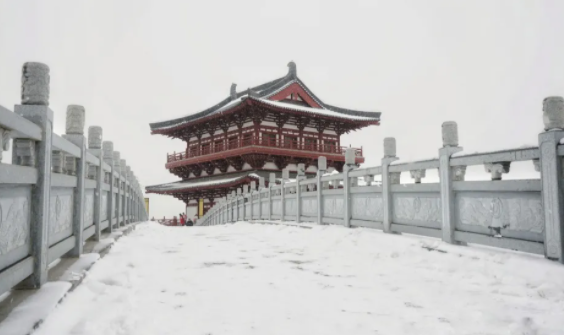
(97, 172)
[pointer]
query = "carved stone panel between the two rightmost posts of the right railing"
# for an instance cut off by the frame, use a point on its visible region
(515, 214)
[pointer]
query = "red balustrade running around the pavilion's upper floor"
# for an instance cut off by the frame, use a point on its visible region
(212, 148)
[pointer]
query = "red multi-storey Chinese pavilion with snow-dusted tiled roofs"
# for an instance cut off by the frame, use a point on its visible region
(251, 133)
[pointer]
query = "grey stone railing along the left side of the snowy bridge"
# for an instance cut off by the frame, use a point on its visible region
(59, 191)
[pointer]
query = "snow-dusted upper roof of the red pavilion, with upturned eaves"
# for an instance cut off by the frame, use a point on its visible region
(263, 93)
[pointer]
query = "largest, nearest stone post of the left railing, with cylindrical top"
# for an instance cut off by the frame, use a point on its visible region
(35, 108)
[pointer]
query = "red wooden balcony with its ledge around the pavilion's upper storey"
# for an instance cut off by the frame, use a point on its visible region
(249, 145)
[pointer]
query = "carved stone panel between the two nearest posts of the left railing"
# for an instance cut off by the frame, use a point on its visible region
(60, 214)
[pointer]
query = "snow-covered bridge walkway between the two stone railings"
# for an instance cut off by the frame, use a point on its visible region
(272, 279)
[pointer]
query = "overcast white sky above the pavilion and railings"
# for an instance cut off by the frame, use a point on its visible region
(485, 64)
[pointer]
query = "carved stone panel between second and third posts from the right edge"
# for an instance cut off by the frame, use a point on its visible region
(420, 209)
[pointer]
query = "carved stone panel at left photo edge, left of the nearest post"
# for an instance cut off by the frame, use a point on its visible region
(14, 221)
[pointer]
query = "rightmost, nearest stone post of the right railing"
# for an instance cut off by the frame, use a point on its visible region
(551, 175)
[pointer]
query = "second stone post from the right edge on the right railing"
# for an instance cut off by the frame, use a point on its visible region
(450, 146)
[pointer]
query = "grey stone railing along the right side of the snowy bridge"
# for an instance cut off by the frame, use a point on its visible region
(524, 215)
